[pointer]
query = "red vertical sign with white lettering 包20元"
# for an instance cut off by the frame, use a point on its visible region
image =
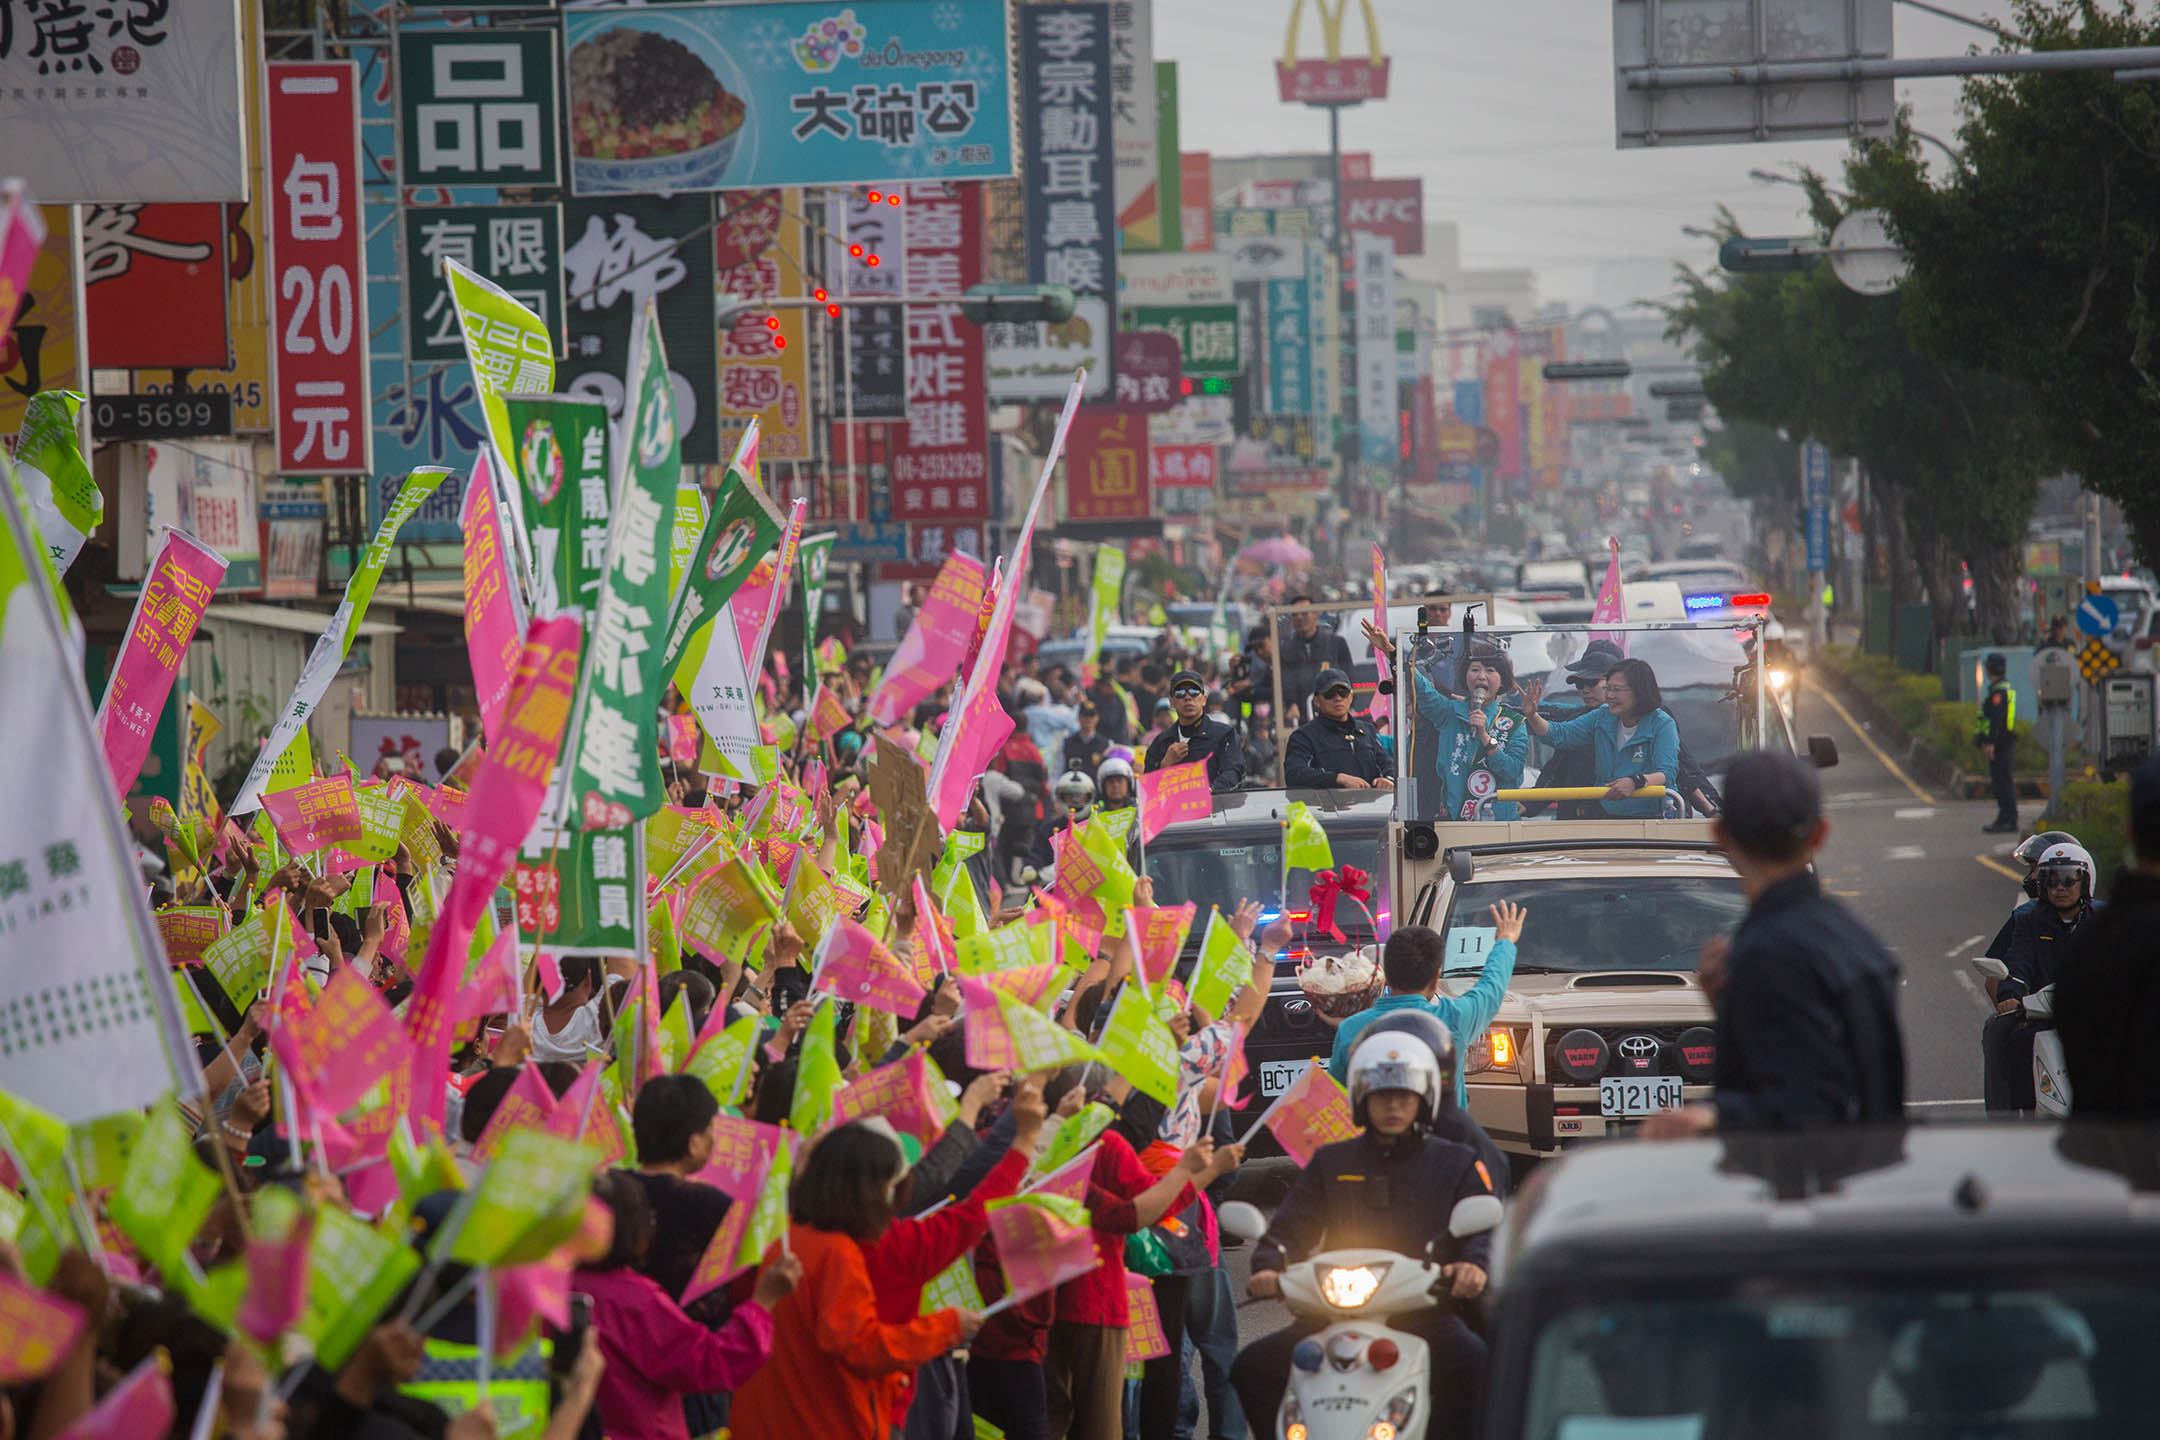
(316, 245)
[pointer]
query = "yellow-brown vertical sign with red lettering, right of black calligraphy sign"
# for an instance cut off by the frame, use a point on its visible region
(764, 372)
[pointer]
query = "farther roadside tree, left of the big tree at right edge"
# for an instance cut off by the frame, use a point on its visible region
(1952, 452)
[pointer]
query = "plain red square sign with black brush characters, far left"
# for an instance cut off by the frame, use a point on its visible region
(154, 286)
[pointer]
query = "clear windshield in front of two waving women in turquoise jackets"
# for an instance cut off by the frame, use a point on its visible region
(1690, 703)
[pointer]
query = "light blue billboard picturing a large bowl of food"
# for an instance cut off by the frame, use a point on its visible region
(740, 96)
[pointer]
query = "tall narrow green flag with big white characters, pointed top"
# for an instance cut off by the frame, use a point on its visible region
(610, 757)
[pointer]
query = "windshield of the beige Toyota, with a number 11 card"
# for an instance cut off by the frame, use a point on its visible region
(1584, 925)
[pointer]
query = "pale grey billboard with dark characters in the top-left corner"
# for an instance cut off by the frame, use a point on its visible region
(124, 100)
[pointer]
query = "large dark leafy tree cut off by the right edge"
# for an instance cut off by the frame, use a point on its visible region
(2036, 258)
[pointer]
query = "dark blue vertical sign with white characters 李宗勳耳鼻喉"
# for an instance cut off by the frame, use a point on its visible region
(1072, 204)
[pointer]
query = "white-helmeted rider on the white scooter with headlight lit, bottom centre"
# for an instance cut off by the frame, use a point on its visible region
(1388, 1188)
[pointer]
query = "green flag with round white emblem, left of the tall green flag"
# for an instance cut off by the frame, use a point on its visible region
(561, 457)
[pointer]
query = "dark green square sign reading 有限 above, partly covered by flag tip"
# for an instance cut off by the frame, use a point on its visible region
(519, 247)
